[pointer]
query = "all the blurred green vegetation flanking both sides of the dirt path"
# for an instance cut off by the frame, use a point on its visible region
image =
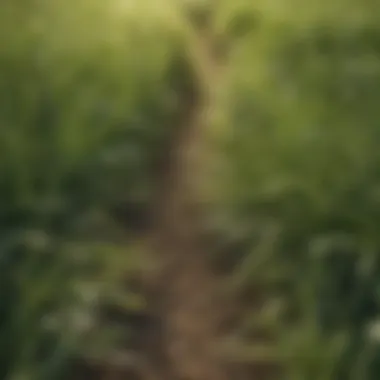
(87, 105)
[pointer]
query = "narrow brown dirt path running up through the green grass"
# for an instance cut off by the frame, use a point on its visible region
(182, 291)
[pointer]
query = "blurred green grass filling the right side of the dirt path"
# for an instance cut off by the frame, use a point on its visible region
(304, 152)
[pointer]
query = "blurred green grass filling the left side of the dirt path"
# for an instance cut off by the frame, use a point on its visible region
(82, 115)
